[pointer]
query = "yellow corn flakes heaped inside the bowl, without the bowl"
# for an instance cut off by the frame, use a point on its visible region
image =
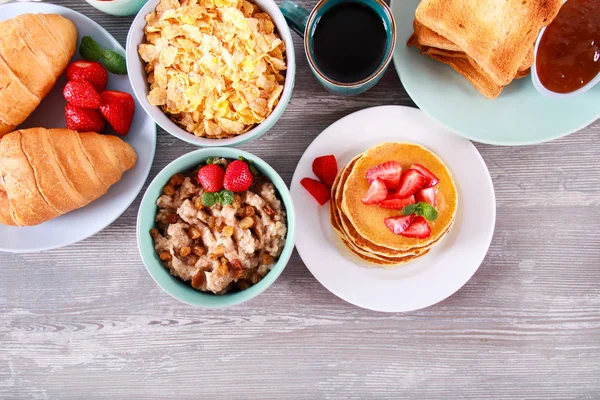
(216, 67)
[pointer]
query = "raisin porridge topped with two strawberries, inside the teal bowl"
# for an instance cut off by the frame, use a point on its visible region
(220, 227)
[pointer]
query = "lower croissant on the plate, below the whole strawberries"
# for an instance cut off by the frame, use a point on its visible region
(45, 173)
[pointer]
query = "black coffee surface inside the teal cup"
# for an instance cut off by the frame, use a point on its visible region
(349, 42)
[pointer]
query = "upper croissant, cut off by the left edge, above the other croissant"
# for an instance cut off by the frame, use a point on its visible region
(34, 51)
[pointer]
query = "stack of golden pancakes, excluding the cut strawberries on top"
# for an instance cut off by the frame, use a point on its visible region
(362, 228)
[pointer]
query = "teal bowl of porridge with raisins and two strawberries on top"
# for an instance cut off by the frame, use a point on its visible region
(216, 227)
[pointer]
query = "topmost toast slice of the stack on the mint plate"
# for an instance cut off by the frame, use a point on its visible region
(497, 35)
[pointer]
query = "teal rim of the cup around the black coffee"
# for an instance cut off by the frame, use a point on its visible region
(390, 26)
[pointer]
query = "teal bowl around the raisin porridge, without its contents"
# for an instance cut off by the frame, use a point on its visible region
(180, 290)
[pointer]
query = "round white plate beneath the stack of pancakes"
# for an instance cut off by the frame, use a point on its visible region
(428, 280)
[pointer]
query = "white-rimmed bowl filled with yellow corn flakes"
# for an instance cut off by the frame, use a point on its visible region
(212, 72)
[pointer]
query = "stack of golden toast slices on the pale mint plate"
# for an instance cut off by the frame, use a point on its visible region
(489, 42)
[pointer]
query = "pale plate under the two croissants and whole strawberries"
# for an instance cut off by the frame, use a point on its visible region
(85, 222)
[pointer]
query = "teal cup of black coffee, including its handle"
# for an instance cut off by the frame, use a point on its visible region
(348, 43)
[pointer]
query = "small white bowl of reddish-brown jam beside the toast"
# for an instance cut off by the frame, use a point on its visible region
(567, 52)
